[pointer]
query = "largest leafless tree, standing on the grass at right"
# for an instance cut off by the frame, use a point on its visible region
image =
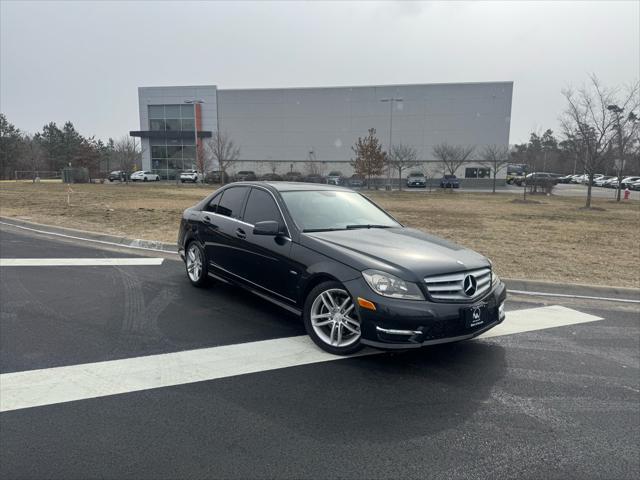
(592, 125)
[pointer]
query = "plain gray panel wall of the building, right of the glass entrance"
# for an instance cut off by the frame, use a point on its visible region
(285, 124)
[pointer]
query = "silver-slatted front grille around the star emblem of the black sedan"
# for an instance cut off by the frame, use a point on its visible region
(450, 287)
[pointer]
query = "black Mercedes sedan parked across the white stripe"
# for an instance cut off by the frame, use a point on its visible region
(355, 275)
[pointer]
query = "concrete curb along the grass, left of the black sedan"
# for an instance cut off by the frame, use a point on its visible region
(93, 236)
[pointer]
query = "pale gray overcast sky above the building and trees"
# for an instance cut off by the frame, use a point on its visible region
(83, 61)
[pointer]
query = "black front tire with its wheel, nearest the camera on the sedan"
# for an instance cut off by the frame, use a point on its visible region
(322, 308)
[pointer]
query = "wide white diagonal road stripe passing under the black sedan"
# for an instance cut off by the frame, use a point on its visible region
(91, 380)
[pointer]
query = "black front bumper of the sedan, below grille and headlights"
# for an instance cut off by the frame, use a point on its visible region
(412, 324)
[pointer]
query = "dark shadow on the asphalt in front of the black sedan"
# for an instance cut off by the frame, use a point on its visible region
(379, 398)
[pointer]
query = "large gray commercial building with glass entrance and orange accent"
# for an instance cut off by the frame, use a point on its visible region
(283, 129)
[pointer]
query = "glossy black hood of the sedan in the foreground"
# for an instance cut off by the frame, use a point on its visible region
(405, 252)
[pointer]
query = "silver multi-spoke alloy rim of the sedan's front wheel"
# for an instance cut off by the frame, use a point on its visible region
(333, 318)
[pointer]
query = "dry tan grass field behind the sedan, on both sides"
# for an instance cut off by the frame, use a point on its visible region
(551, 240)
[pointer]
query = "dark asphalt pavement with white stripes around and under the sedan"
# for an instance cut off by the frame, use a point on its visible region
(114, 366)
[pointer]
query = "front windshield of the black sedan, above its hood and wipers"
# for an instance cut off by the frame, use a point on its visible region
(328, 210)
